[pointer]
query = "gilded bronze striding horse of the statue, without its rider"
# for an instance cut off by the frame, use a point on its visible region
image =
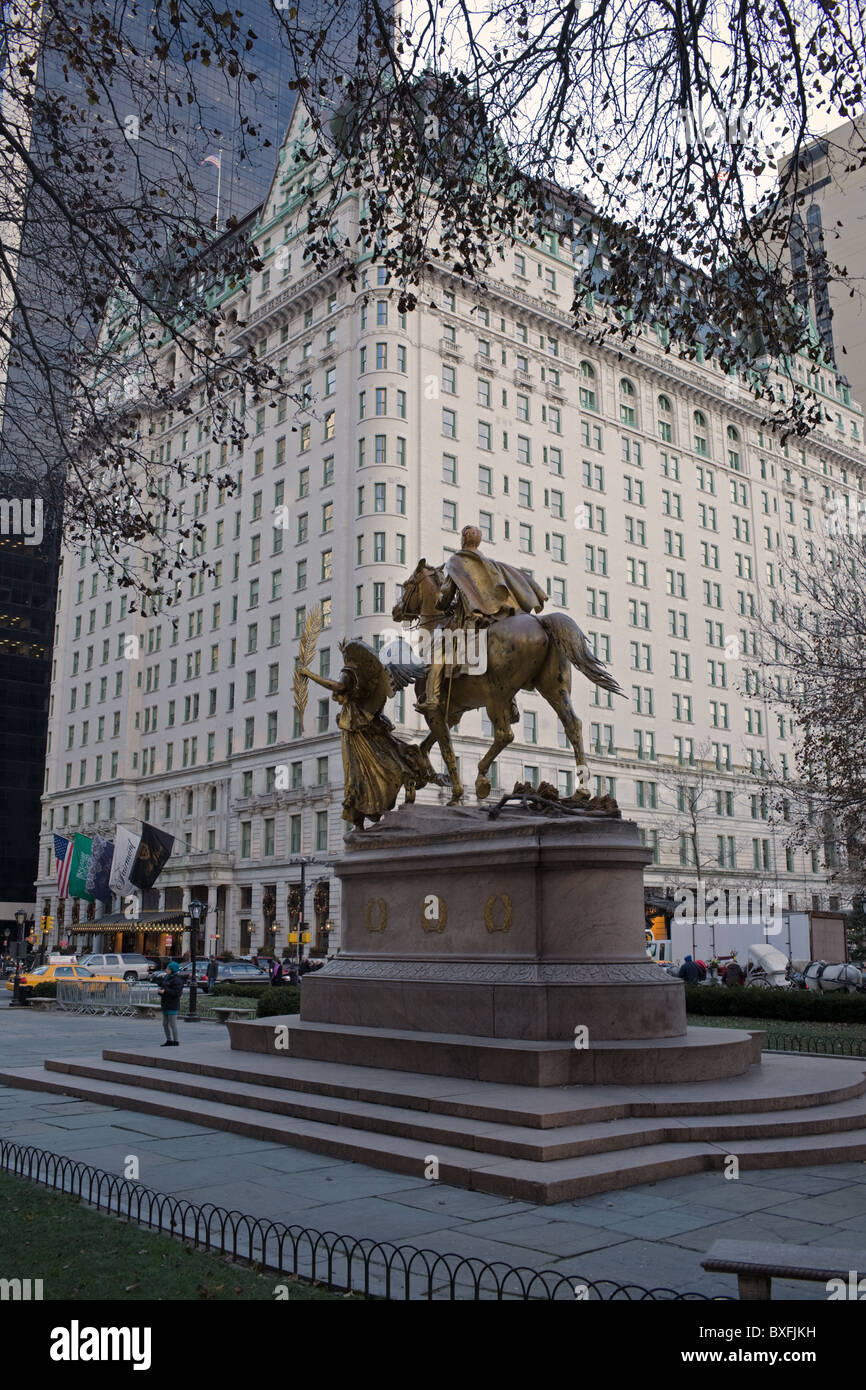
(523, 653)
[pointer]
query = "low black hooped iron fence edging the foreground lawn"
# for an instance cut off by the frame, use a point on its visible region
(344, 1264)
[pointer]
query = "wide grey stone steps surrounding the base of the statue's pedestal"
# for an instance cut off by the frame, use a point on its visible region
(593, 1143)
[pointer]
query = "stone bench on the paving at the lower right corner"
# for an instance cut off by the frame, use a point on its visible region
(757, 1264)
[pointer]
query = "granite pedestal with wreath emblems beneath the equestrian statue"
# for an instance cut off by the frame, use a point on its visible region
(511, 949)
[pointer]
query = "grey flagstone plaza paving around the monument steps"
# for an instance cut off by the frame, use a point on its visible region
(653, 1235)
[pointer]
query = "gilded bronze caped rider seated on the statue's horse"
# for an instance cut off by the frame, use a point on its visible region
(477, 593)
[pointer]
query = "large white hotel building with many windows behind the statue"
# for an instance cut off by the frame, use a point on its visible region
(640, 490)
